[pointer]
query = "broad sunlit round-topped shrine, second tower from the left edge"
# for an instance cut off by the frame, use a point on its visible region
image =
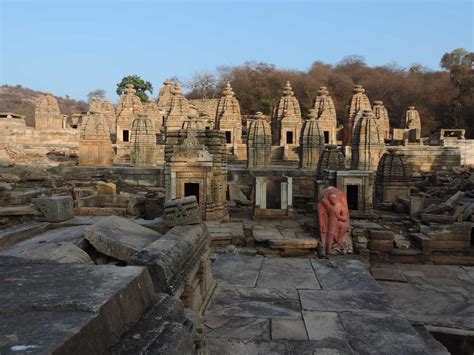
(95, 147)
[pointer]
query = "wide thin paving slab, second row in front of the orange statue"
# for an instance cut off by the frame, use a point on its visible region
(345, 301)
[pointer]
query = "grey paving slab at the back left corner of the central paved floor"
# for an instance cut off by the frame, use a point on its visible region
(237, 270)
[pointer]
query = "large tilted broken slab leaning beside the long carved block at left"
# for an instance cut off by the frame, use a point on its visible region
(119, 237)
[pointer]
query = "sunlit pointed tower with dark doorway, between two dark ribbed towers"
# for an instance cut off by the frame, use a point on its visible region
(286, 119)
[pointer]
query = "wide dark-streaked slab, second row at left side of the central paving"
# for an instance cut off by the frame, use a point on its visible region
(254, 302)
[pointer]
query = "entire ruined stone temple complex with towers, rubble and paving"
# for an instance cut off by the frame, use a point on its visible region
(179, 226)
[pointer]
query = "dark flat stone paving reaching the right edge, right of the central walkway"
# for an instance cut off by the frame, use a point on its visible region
(433, 295)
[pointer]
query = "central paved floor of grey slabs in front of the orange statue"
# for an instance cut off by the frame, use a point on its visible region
(265, 305)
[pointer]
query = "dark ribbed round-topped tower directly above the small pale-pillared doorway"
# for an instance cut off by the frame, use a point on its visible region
(259, 143)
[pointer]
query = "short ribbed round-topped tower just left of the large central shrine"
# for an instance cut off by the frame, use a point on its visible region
(143, 141)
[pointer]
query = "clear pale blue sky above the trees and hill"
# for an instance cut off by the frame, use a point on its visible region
(73, 47)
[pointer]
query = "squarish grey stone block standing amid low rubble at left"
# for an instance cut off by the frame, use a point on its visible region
(55, 208)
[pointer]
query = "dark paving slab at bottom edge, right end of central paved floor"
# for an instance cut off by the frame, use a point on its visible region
(388, 334)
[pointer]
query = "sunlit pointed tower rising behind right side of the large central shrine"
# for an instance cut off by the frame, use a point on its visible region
(228, 117)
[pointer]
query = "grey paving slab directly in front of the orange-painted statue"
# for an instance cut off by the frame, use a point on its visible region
(344, 275)
